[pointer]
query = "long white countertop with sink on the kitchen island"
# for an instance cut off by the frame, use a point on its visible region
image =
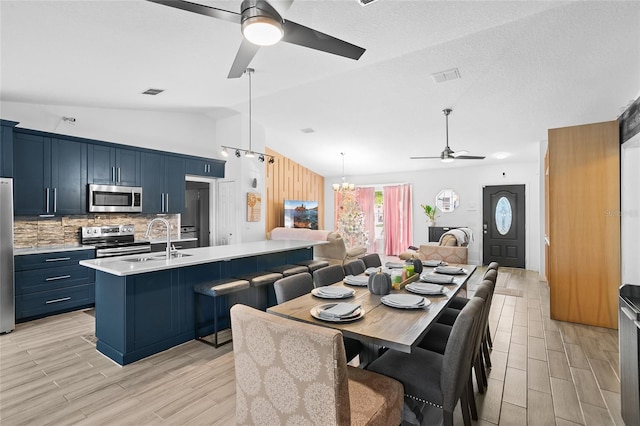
(121, 267)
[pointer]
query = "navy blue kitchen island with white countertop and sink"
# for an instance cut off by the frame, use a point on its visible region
(145, 303)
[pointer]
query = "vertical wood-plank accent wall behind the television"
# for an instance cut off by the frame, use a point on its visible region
(288, 180)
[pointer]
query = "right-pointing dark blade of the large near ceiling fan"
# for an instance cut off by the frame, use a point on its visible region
(304, 36)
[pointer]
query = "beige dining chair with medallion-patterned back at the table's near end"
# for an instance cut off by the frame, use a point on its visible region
(290, 372)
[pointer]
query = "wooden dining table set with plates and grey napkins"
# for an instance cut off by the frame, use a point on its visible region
(381, 325)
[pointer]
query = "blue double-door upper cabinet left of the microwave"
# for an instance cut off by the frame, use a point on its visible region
(50, 175)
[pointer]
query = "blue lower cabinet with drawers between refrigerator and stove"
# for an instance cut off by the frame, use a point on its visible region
(51, 283)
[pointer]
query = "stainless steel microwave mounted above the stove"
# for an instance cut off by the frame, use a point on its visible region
(115, 199)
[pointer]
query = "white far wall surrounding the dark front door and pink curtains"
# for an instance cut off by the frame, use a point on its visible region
(468, 183)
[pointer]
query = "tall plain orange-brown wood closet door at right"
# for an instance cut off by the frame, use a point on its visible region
(584, 223)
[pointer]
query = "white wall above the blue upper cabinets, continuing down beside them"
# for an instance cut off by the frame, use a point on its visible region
(194, 134)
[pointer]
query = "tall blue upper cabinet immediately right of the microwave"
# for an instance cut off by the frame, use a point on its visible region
(163, 184)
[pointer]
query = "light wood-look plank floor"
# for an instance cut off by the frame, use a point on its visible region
(544, 372)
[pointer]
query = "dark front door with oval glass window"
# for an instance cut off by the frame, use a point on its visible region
(503, 225)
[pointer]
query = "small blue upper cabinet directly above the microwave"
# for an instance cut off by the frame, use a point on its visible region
(110, 165)
